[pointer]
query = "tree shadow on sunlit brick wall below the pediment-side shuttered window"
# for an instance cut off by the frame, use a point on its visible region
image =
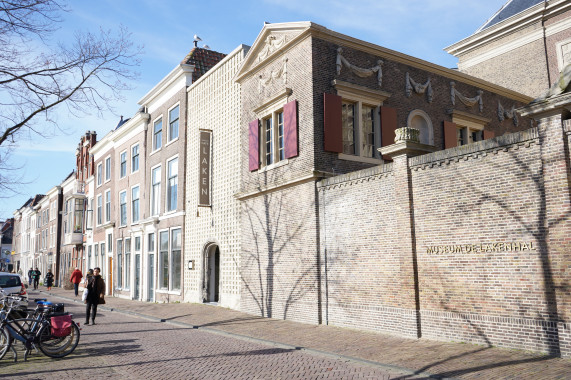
(277, 268)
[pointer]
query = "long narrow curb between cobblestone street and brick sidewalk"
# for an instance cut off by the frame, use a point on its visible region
(387, 367)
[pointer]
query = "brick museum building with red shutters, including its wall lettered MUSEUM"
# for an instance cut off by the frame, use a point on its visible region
(423, 237)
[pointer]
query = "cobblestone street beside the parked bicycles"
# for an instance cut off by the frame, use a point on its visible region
(126, 347)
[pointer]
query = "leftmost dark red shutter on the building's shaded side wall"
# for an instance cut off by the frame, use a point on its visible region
(332, 123)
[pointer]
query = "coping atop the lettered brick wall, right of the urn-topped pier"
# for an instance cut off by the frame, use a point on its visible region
(480, 148)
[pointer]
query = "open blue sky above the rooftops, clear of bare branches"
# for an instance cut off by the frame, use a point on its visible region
(165, 30)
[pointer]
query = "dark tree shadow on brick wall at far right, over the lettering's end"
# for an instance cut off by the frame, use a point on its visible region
(539, 227)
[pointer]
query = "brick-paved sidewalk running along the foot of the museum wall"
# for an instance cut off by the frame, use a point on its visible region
(412, 357)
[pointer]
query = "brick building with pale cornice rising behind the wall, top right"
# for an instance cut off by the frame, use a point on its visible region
(523, 46)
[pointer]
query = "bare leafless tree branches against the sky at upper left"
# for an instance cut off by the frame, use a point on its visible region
(87, 74)
